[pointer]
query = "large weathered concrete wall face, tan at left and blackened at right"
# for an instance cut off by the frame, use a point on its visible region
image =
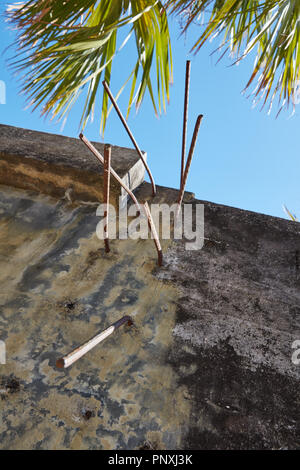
(209, 363)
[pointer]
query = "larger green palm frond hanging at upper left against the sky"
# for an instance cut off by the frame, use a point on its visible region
(66, 47)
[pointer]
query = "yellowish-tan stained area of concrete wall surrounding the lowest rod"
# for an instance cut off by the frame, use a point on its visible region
(75, 290)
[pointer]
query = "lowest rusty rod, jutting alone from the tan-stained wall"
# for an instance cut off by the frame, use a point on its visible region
(77, 353)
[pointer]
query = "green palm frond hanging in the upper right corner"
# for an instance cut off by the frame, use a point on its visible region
(271, 28)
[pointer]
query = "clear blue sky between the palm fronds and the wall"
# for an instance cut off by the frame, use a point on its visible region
(244, 158)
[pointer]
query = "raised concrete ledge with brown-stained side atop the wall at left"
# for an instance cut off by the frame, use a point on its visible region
(54, 164)
